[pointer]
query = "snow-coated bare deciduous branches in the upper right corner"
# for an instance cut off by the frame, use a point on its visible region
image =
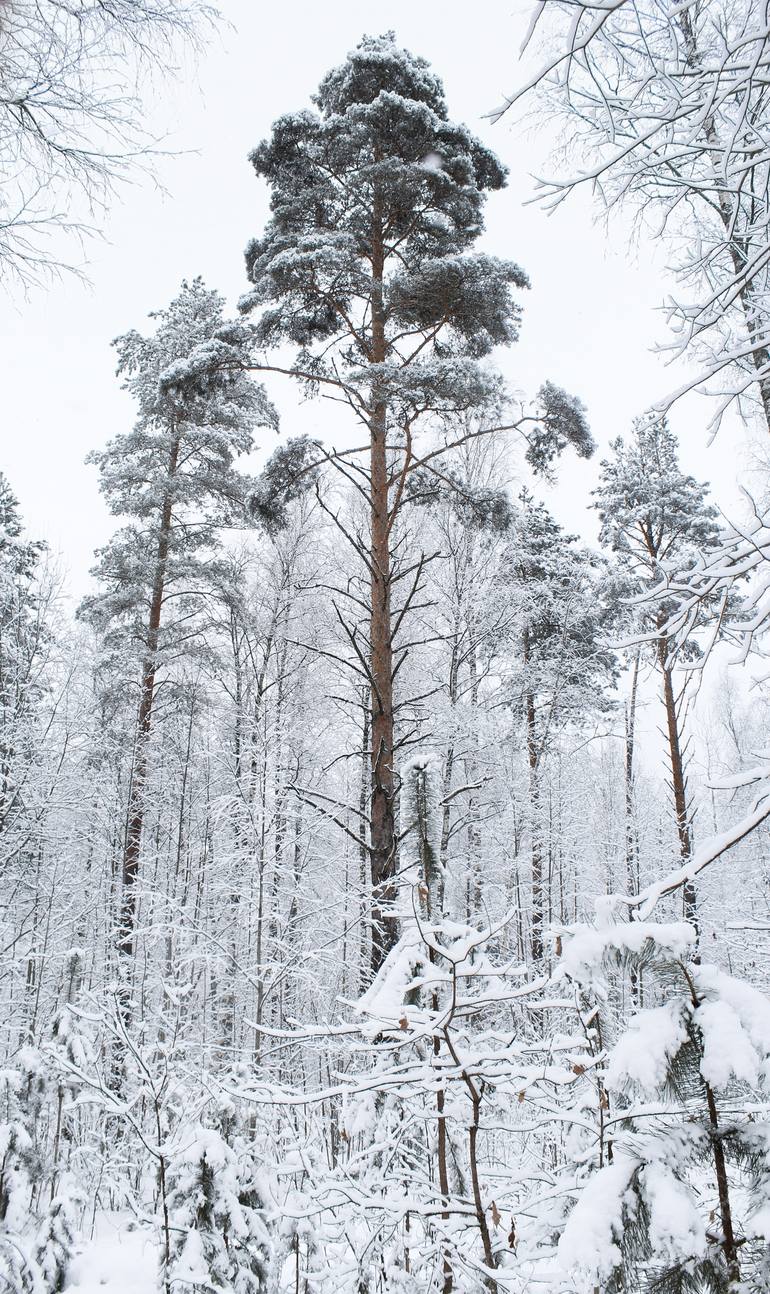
(666, 112)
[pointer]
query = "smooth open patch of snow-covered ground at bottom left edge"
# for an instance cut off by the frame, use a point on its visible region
(118, 1261)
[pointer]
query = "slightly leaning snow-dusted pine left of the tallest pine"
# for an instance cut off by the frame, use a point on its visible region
(174, 477)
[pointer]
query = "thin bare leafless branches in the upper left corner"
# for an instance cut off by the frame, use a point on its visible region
(72, 116)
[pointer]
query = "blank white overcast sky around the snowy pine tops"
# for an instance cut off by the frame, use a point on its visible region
(591, 322)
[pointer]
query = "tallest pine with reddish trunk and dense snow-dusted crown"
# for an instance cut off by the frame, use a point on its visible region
(367, 267)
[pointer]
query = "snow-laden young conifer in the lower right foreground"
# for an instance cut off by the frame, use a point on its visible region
(680, 1201)
